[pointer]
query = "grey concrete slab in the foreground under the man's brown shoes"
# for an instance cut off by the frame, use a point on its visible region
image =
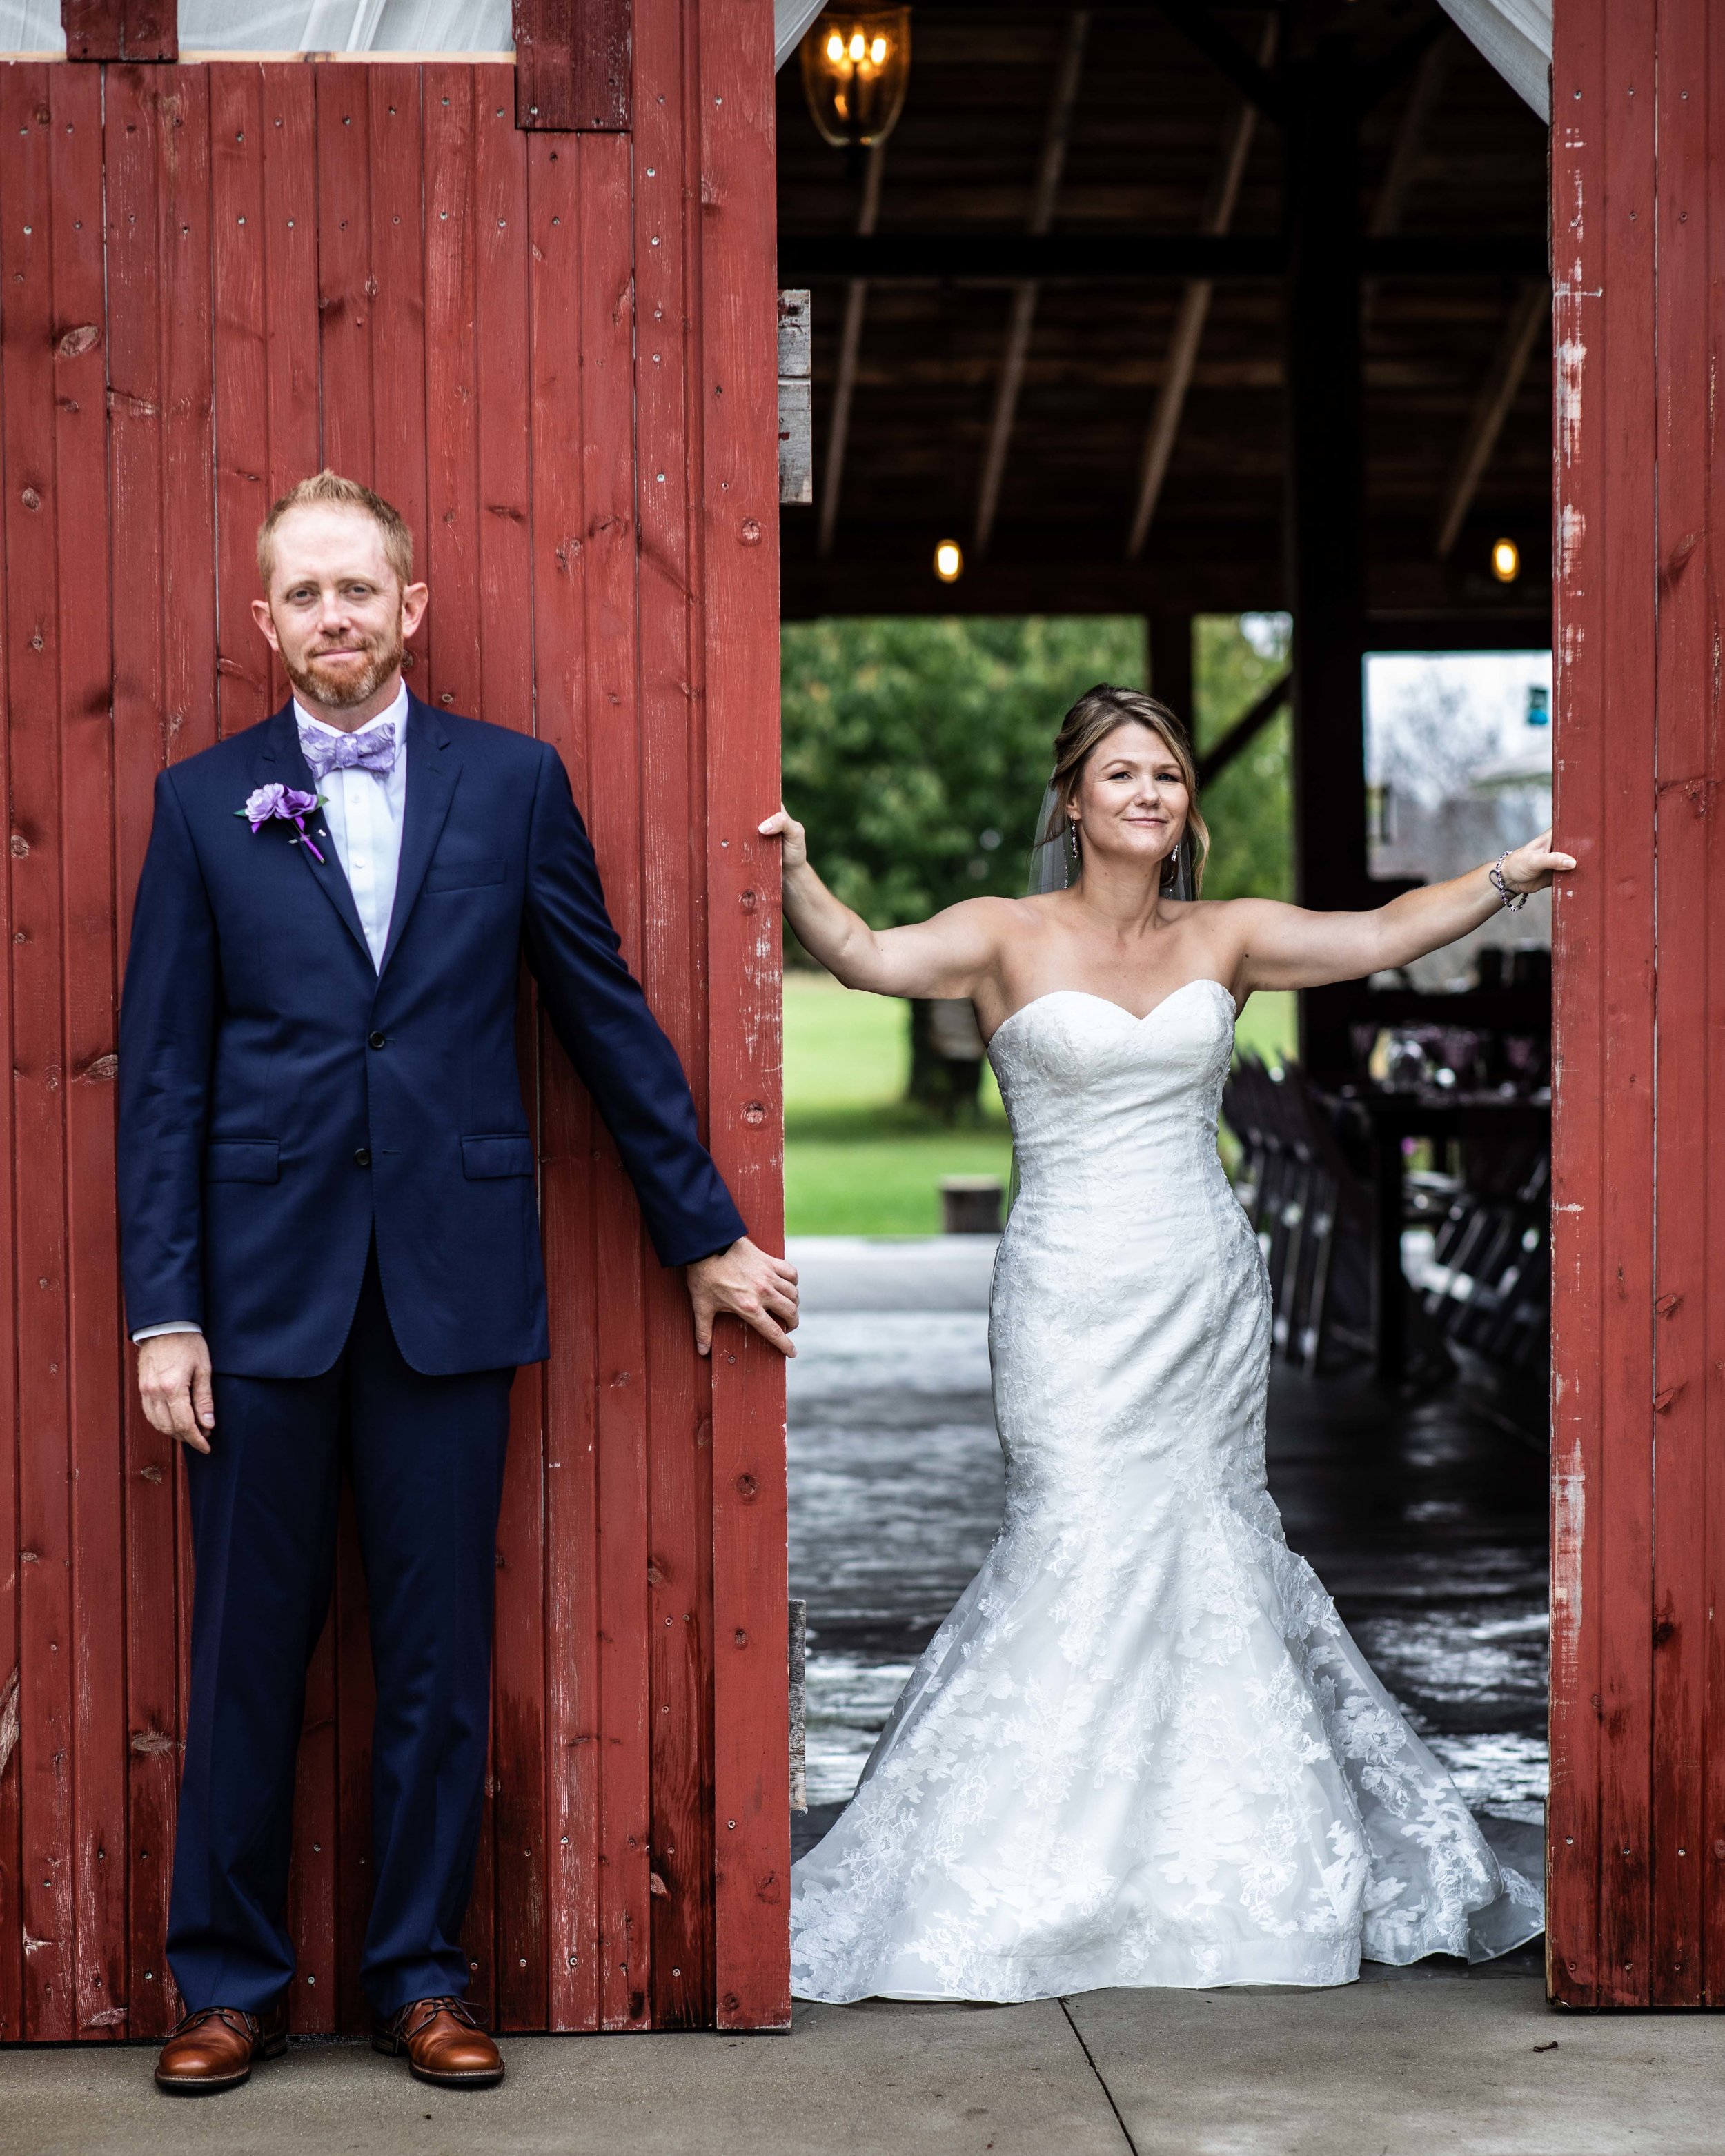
(1392, 2069)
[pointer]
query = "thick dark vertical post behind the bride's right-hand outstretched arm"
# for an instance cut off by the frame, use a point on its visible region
(1325, 510)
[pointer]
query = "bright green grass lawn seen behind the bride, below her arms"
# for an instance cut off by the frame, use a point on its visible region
(859, 1161)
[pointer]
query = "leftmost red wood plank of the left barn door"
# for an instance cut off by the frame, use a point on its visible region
(38, 1073)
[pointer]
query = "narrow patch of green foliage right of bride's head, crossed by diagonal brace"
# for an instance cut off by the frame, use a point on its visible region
(1250, 807)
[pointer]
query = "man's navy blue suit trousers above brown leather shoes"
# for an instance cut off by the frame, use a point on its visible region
(426, 1456)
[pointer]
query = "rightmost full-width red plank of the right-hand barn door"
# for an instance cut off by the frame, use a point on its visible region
(1687, 717)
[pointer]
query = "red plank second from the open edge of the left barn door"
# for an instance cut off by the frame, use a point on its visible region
(674, 967)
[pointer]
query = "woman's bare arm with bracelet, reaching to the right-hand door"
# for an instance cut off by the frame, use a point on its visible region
(1291, 948)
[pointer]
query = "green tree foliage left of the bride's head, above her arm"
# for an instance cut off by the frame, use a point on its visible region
(917, 751)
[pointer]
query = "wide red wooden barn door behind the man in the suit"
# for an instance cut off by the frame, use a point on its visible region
(555, 353)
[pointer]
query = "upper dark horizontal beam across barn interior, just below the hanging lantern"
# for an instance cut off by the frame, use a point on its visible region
(965, 258)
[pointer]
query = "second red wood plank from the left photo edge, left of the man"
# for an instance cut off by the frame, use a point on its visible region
(87, 898)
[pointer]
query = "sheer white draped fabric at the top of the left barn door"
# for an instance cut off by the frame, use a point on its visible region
(342, 27)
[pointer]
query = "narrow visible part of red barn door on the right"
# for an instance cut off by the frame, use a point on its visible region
(1638, 1806)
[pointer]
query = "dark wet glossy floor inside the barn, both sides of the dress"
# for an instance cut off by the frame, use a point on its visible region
(1424, 1519)
